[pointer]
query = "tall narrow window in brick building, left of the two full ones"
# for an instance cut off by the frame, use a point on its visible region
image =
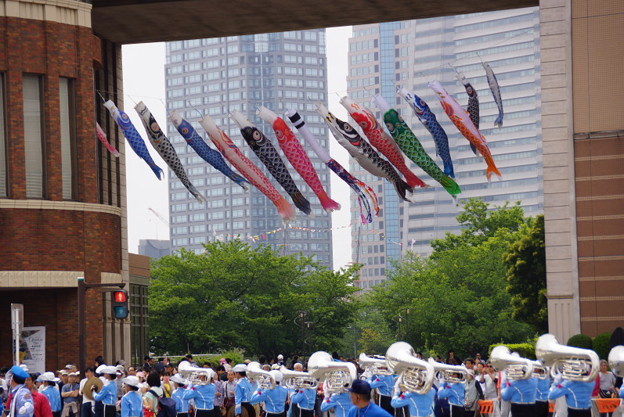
(33, 136)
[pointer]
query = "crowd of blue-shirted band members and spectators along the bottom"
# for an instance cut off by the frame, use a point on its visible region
(224, 389)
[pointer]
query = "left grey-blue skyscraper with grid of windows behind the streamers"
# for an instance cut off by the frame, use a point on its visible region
(280, 71)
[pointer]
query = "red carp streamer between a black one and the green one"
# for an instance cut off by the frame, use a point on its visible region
(380, 139)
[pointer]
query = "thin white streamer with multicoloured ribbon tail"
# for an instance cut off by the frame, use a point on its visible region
(360, 188)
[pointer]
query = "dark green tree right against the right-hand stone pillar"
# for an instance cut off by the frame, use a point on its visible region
(526, 275)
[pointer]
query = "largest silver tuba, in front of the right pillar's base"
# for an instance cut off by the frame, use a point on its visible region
(571, 363)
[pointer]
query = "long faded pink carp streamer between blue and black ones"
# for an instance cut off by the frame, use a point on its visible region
(231, 152)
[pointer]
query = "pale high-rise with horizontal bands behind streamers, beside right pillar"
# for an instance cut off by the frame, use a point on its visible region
(410, 54)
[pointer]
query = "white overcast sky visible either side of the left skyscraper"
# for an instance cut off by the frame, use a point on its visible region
(144, 80)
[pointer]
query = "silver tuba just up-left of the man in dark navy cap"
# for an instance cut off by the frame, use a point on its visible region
(337, 377)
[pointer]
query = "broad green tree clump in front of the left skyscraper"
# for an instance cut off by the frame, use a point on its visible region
(236, 296)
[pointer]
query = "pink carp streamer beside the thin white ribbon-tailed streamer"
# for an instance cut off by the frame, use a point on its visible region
(297, 157)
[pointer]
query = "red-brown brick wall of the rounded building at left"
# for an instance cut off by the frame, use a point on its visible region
(51, 239)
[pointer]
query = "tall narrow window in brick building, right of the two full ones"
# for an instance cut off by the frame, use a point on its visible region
(68, 137)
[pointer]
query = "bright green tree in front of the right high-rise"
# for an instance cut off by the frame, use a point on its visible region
(456, 298)
